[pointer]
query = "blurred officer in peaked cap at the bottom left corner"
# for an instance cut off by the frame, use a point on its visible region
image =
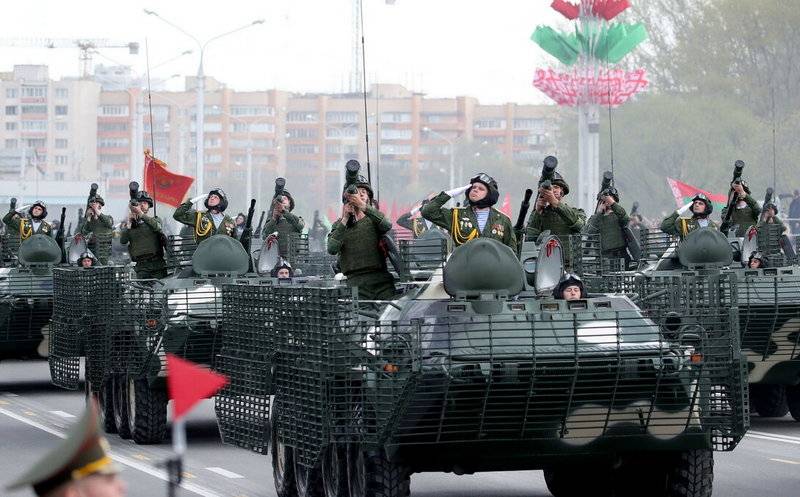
(80, 466)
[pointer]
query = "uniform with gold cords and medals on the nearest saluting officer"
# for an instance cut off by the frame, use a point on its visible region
(462, 223)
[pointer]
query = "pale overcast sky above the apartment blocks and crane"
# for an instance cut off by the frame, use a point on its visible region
(441, 47)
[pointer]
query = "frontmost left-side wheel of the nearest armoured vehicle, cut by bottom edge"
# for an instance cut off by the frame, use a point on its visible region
(372, 474)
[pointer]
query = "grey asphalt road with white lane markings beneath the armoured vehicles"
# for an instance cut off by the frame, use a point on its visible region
(33, 414)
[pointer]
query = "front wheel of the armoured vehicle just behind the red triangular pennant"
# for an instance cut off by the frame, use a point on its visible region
(147, 412)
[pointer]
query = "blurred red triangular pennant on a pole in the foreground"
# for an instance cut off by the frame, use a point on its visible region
(189, 383)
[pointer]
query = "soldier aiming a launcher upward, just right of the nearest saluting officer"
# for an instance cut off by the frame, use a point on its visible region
(552, 213)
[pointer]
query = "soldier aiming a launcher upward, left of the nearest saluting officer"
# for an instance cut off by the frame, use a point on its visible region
(355, 238)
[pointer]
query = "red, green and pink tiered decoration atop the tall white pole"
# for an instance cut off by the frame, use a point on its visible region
(588, 51)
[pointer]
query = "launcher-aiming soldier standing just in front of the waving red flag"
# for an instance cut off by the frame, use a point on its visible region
(144, 237)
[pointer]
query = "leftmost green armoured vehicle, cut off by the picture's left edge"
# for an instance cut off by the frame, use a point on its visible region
(26, 298)
